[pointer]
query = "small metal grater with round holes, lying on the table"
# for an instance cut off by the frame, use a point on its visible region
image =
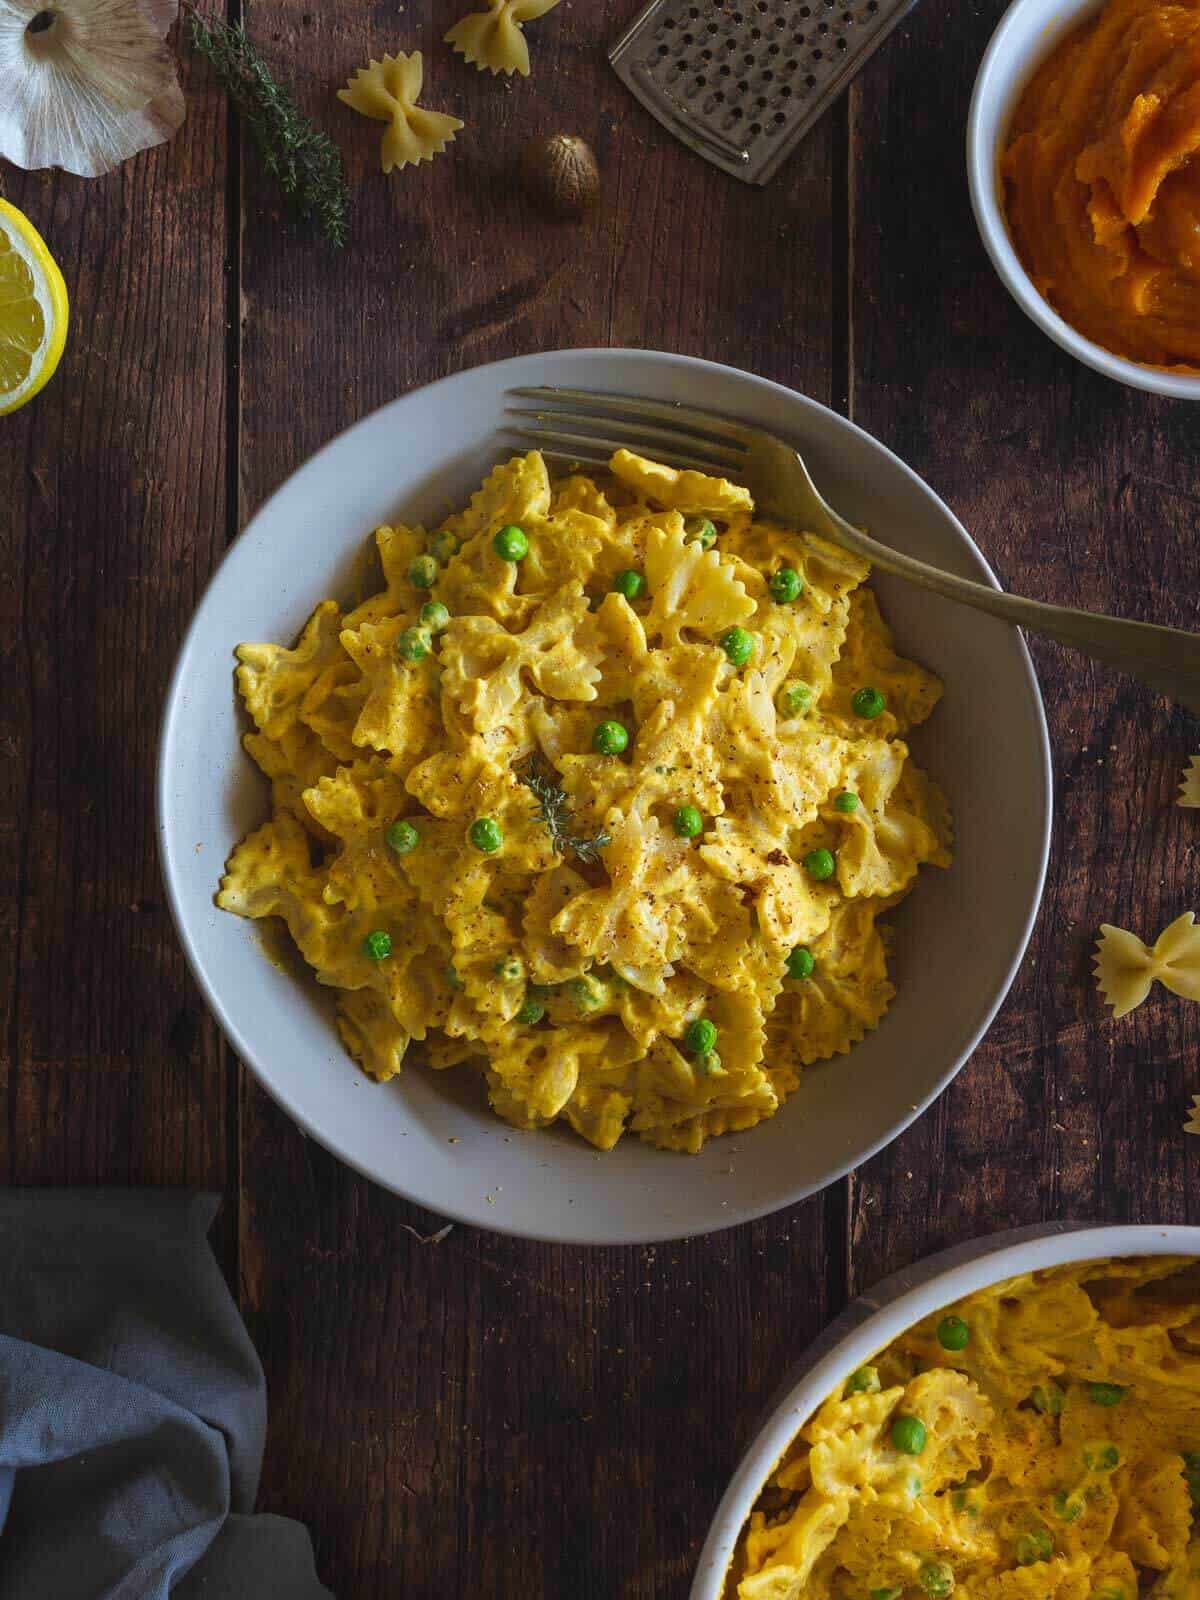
(742, 82)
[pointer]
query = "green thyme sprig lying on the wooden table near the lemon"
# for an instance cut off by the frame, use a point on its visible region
(305, 161)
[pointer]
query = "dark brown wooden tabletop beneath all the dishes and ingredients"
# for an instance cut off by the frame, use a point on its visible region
(486, 1417)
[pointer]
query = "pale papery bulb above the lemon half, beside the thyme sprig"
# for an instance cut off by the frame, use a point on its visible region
(89, 82)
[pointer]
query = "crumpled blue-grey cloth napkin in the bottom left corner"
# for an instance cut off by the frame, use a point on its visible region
(134, 1409)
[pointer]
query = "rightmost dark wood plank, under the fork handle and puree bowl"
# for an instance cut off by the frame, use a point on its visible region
(1079, 492)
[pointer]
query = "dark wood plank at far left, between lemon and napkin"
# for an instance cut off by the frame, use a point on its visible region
(114, 513)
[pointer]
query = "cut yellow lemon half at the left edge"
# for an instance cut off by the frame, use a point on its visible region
(34, 311)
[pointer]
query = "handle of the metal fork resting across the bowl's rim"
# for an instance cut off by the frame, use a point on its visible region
(1164, 658)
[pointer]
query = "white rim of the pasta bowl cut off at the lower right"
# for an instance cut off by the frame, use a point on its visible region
(874, 1321)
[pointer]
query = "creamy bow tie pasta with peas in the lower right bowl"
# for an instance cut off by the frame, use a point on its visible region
(1039, 1441)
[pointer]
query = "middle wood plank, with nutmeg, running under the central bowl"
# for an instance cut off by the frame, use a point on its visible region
(487, 1417)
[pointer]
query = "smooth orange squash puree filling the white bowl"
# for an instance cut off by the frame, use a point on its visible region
(1103, 180)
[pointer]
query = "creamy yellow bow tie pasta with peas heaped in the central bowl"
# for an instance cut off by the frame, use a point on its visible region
(604, 794)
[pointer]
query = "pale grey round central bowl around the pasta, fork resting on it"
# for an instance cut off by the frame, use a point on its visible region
(431, 1137)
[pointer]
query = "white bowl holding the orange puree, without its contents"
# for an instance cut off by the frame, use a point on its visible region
(1028, 33)
